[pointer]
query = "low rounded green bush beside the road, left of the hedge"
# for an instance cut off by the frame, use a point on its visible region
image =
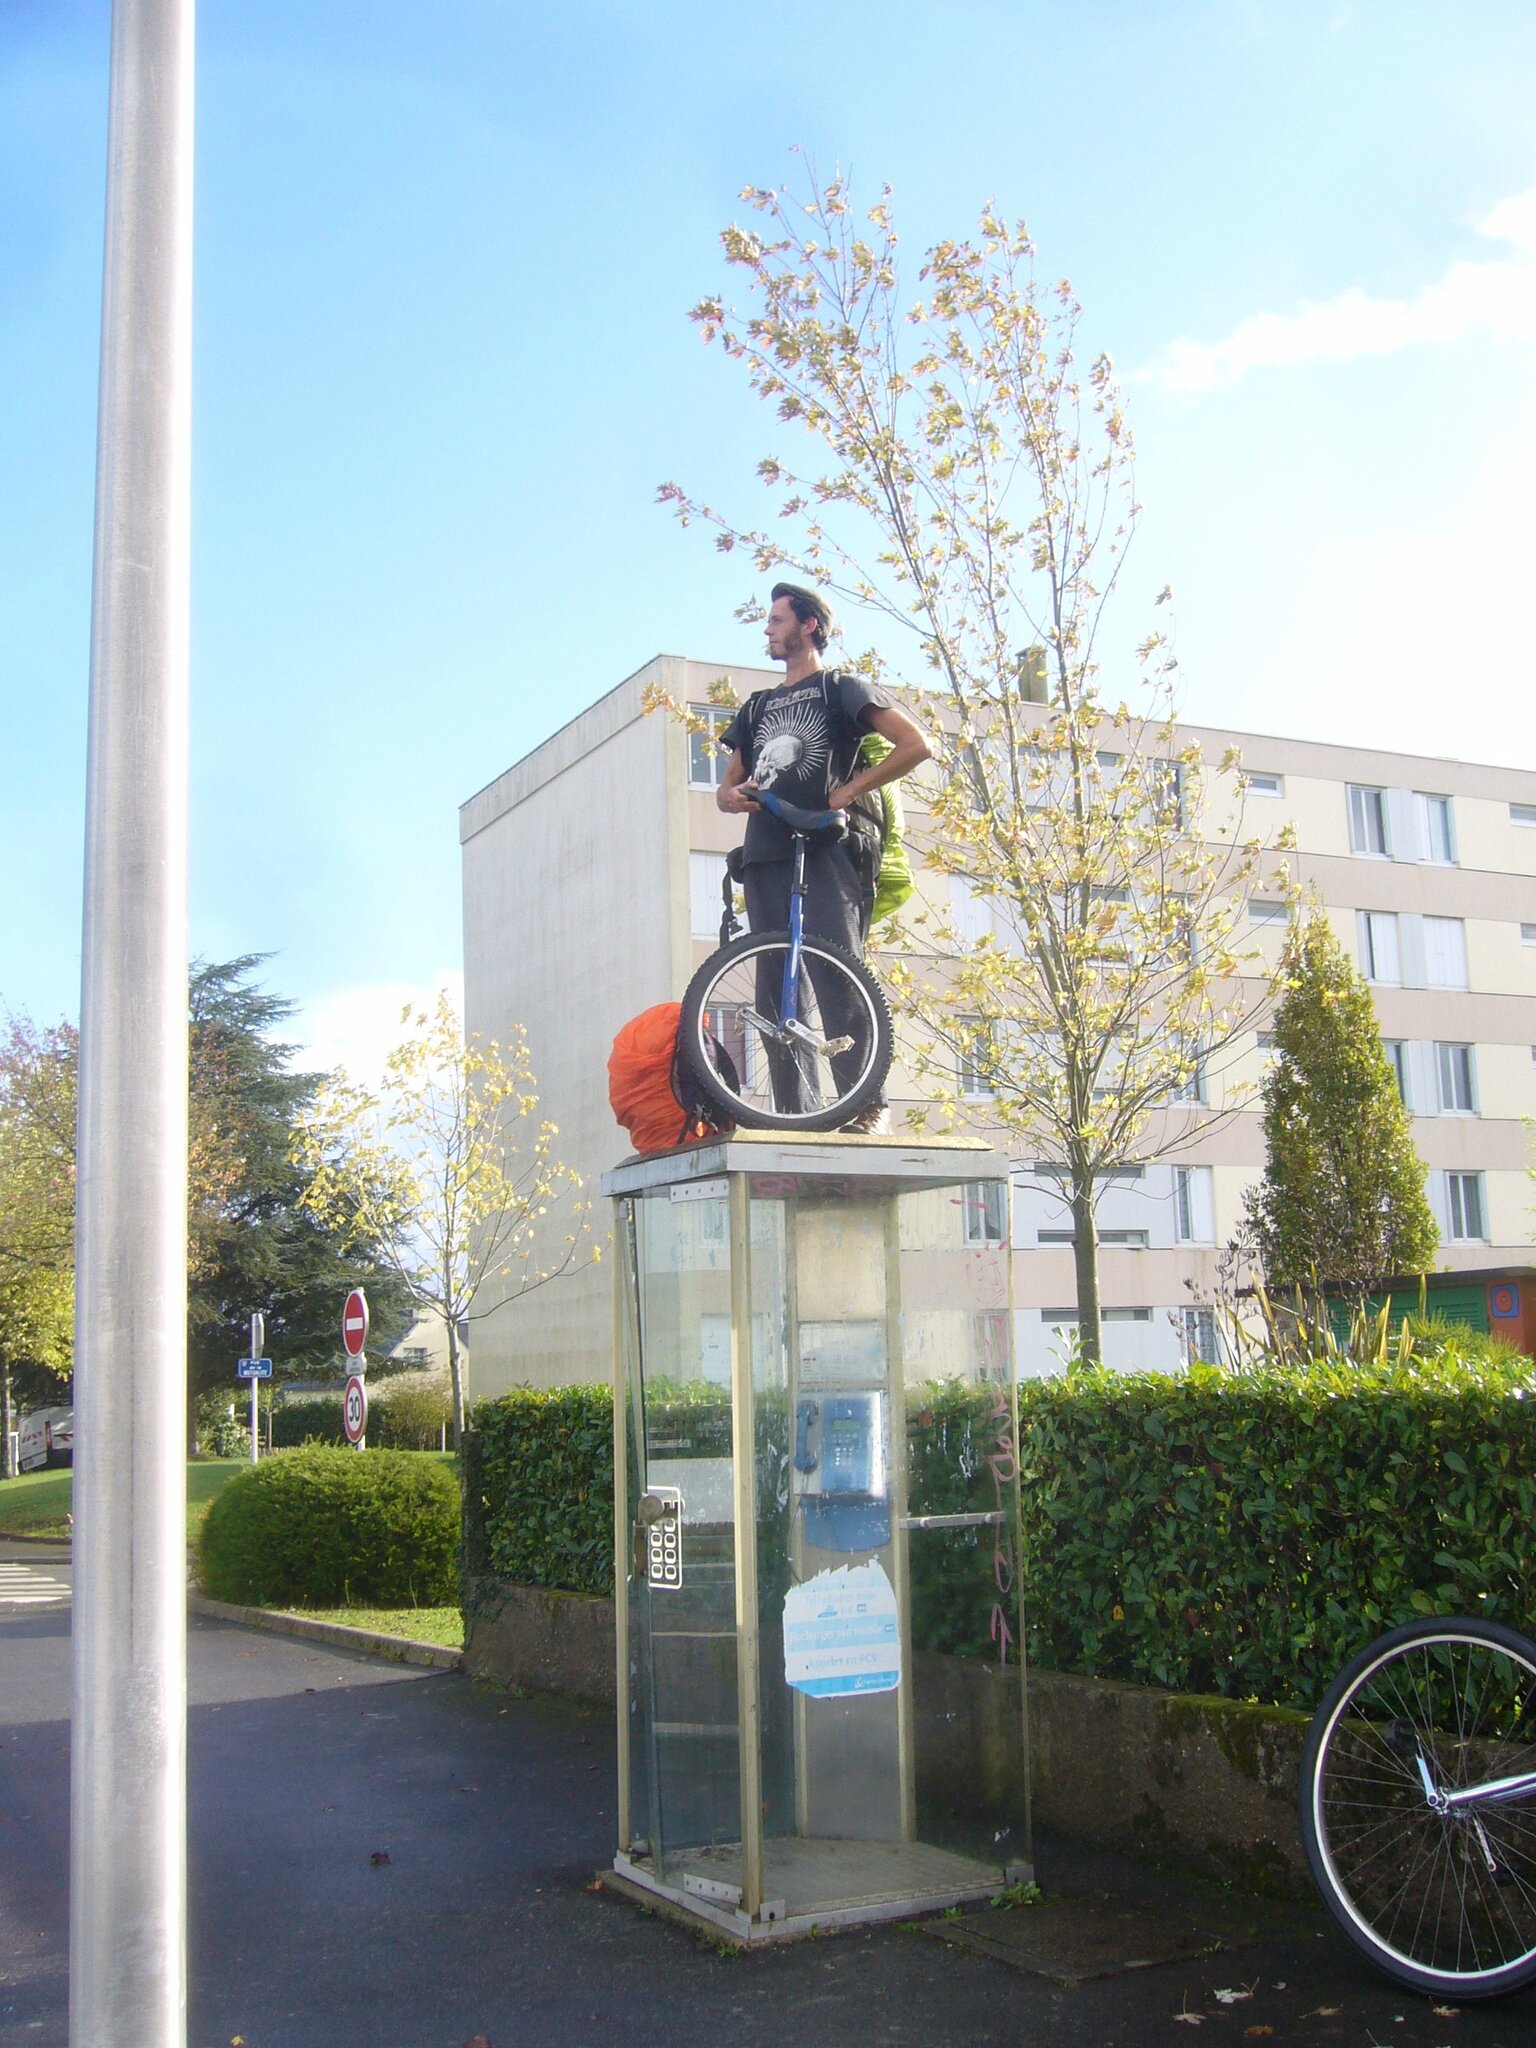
(335, 1529)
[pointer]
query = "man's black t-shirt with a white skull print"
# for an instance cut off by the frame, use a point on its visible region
(802, 742)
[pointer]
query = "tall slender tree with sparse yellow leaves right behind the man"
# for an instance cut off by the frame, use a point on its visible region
(964, 482)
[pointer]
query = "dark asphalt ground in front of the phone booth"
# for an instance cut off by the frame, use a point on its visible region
(392, 1859)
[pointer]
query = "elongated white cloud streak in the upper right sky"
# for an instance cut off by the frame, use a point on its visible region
(1474, 298)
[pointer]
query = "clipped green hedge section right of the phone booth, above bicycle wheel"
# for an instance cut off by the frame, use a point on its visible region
(1244, 1535)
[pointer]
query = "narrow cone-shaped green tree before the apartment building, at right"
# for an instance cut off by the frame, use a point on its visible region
(1342, 1199)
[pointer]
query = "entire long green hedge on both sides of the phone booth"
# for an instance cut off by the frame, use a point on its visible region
(1213, 1533)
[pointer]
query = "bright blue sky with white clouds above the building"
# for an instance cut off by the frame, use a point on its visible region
(443, 267)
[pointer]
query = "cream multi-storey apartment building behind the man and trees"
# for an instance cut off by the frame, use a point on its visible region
(593, 888)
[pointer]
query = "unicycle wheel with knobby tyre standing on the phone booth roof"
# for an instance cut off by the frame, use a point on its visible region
(814, 1074)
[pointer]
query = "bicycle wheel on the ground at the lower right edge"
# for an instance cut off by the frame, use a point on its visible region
(1439, 1891)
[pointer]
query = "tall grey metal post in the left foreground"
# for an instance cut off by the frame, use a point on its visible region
(128, 1852)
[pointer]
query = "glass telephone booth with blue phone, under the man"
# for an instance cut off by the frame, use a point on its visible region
(816, 1531)
